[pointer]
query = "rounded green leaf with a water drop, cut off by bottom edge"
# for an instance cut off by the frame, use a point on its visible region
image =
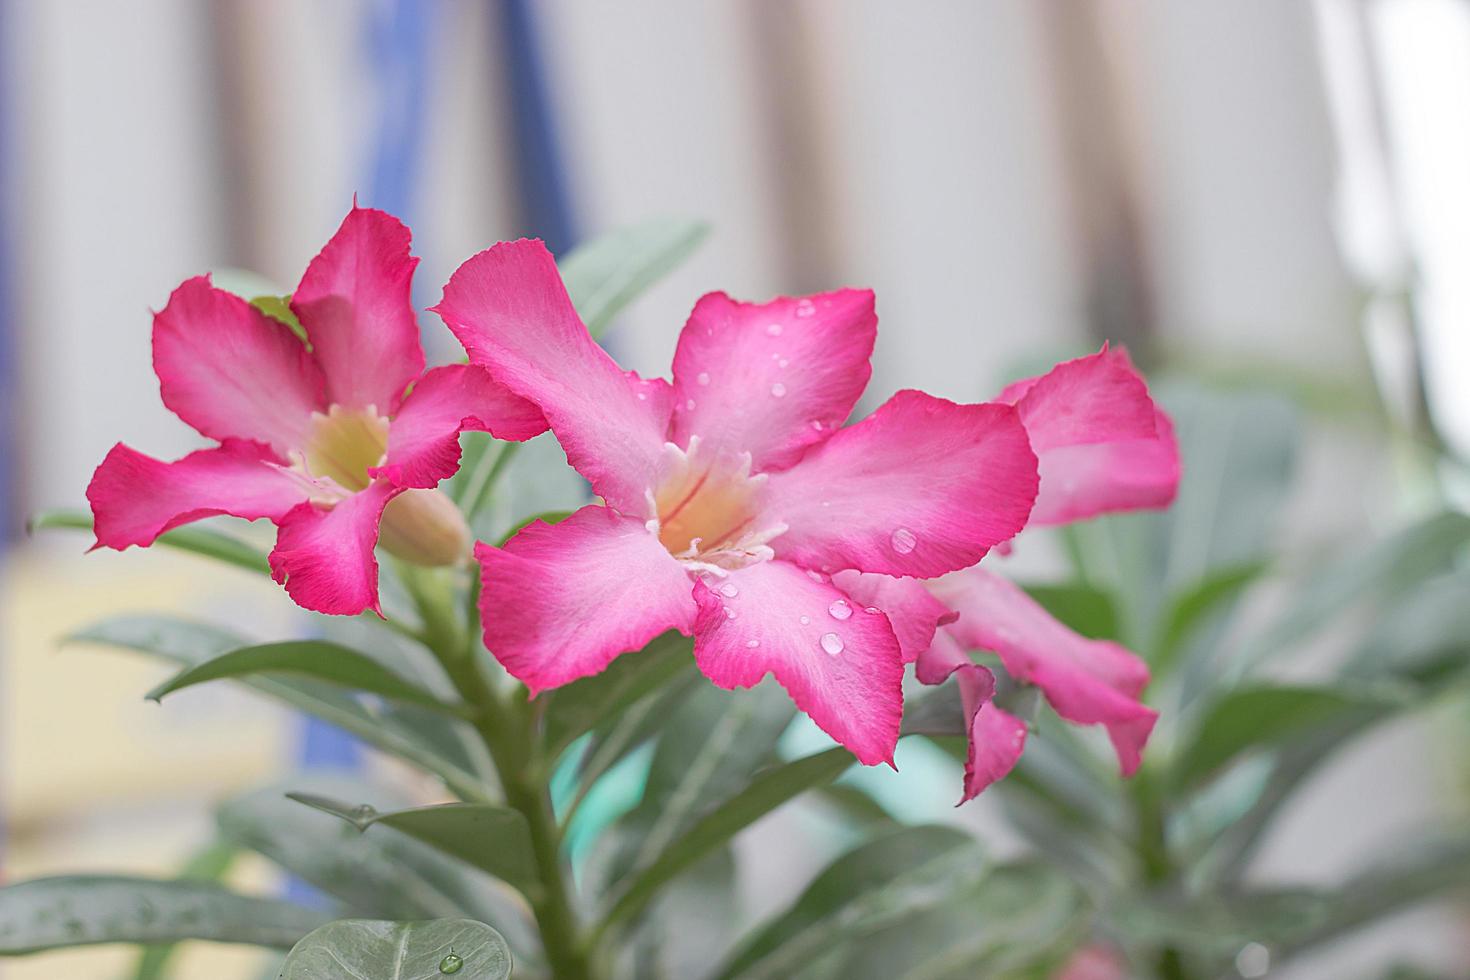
(370, 950)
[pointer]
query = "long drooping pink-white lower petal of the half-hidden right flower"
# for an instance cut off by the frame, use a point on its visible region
(1087, 681)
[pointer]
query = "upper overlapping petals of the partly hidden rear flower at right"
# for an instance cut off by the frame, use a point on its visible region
(1102, 443)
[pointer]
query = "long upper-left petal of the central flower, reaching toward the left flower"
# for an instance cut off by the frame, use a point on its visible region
(509, 309)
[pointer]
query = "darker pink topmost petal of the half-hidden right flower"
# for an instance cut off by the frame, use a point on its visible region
(1090, 400)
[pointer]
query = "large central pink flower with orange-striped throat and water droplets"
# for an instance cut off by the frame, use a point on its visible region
(734, 494)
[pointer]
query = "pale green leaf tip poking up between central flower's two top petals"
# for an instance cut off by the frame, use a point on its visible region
(609, 273)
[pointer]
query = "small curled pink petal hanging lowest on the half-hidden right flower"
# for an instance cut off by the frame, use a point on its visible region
(997, 738)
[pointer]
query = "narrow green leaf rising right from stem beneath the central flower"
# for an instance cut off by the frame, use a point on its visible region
(767, 793)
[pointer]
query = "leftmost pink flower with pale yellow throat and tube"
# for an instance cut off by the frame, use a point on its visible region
(324, 439)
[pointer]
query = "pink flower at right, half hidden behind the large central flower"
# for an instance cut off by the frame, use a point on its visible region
(1103, 446)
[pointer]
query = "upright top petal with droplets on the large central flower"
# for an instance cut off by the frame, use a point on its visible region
(772, 378)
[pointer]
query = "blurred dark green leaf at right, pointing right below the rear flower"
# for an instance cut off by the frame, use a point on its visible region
(1268, 716)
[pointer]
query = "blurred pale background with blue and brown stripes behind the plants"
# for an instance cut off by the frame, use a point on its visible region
(1271, 195)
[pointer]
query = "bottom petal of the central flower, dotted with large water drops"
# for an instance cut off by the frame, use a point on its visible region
(839, 662)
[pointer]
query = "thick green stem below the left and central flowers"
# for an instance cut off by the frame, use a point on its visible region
(508, 728)
